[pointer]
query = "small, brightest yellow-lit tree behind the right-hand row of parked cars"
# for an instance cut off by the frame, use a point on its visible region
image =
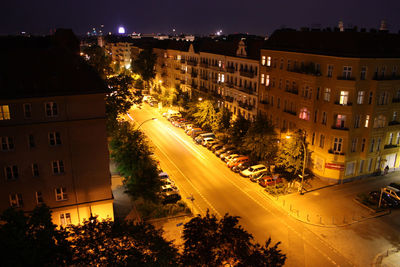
(206, 115)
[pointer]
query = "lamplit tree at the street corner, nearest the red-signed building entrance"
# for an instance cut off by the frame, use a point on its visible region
(291, 156)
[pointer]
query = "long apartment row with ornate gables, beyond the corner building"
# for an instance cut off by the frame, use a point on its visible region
(226, 70)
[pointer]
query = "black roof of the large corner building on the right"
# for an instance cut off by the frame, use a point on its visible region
(341, 44)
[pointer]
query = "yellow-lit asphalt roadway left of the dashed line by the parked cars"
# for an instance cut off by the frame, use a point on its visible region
(199, 173)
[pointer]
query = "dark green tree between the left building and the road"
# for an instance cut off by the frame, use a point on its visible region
(132, 154)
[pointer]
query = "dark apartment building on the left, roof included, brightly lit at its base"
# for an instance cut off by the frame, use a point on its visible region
(52, 130)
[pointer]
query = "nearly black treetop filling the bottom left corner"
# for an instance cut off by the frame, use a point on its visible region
(32, 240)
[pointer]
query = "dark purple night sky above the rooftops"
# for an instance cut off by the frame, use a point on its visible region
(193, 16)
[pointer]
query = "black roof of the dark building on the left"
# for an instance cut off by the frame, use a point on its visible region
(45, 66)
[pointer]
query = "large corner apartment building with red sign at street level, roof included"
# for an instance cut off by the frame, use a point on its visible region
(343, 90)
